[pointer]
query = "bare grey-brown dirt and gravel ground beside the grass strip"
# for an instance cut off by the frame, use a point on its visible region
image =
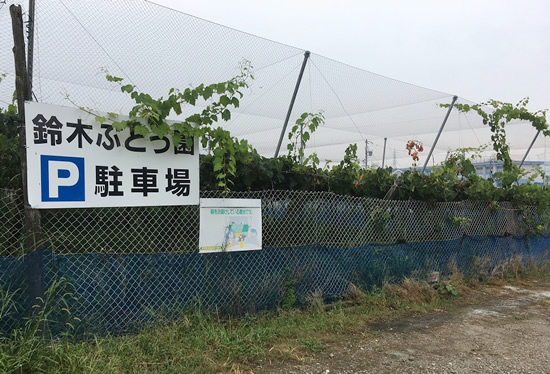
(507, 332)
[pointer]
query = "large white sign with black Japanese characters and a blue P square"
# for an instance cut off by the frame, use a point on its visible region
(74, 161)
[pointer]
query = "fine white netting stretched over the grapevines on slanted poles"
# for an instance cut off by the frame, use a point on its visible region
(157, 48)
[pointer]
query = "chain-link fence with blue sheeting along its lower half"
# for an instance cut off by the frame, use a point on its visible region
(131, 266)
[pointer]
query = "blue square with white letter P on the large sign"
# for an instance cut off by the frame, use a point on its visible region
(62, 178)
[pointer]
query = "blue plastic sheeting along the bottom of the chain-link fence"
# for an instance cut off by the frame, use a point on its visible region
(118, 293)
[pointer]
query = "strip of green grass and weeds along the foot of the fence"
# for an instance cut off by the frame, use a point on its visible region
(209, 343)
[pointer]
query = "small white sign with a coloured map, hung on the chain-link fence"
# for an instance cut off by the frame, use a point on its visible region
(230, 225)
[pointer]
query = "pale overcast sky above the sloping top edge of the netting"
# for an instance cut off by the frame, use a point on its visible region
(476, 49)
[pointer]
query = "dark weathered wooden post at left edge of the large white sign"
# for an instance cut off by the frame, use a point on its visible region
(32, 232)
